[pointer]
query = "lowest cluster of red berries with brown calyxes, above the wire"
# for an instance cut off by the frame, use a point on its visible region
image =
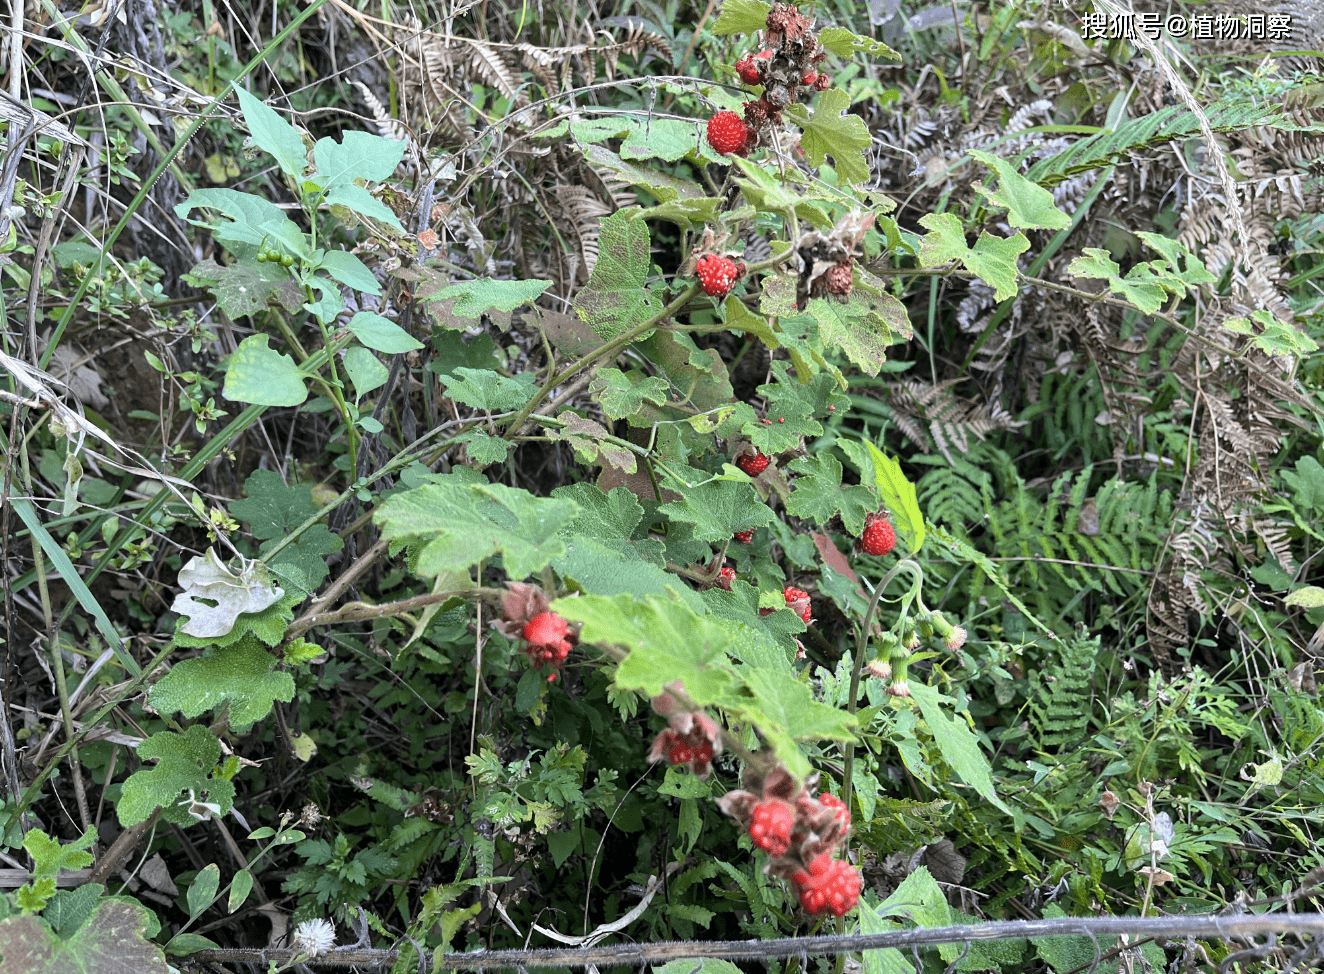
(800, 833)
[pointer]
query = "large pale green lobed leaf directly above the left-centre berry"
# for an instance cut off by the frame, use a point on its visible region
(453, 526)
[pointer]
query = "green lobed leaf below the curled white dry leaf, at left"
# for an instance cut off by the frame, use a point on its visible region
(243, 677)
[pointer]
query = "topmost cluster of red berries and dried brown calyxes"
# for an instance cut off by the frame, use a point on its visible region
(788, 62)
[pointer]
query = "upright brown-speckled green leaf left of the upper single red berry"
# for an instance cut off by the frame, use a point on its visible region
(615, 298)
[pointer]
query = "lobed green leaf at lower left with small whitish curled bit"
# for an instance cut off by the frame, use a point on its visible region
(183, 779)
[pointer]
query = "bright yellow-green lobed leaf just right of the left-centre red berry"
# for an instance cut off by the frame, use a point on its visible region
(668, 641)
